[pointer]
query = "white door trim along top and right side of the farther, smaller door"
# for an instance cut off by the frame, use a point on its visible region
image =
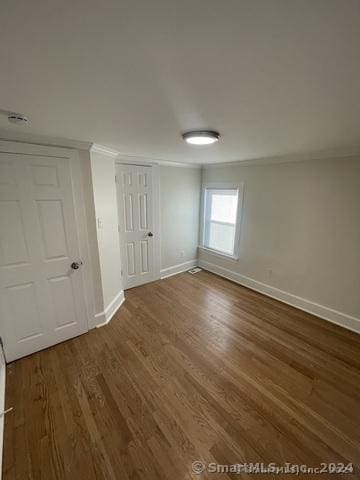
(156, 208)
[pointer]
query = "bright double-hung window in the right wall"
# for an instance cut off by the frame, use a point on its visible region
(221, 218)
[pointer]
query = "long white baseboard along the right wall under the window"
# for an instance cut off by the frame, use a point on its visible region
(334, 316)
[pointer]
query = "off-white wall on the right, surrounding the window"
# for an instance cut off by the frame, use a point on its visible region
(300, 232)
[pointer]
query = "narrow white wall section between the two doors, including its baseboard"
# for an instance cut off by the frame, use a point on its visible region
(104, 195)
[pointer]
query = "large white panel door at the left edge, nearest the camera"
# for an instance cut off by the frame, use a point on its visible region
(41, 295)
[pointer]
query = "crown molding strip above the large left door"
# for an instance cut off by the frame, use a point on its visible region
(22, 137)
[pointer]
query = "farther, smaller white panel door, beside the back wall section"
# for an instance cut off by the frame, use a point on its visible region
(136, 223)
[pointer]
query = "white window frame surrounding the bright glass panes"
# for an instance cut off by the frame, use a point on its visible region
(222, 186)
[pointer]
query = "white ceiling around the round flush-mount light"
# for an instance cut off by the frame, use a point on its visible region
(275, 77)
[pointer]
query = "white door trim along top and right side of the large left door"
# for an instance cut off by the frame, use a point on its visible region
(79, 207)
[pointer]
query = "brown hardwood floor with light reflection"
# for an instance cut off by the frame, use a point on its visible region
(191, 368)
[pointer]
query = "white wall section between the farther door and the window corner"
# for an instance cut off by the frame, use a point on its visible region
(179, 215)
